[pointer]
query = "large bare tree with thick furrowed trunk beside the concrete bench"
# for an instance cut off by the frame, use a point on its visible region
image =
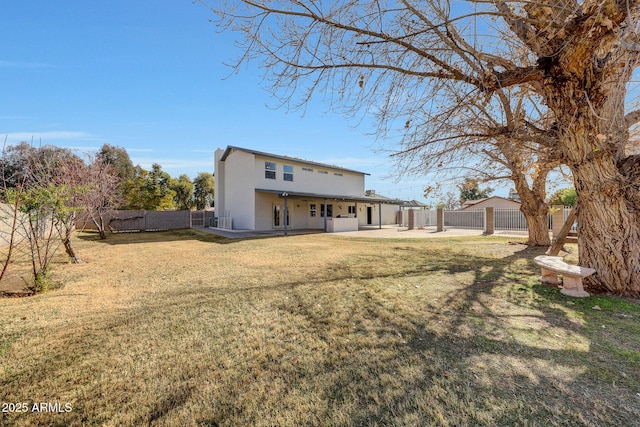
(393, 58)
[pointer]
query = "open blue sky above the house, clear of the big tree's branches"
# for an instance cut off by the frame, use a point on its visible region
(151, 77)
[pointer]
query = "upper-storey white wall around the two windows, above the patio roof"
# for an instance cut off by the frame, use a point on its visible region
(335, 181)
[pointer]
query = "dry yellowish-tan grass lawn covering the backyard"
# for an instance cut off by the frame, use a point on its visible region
(179, 328)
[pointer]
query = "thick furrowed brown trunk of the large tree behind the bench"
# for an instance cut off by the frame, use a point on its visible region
(588, 102)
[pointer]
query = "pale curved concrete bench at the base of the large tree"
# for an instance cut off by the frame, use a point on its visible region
(572, 275)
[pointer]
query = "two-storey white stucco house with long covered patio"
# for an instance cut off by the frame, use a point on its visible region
(255, 190)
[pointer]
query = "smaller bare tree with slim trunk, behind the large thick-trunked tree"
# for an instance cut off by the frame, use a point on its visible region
(506, 138)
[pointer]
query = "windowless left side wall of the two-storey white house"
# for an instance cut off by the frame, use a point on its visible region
(239, 190)
